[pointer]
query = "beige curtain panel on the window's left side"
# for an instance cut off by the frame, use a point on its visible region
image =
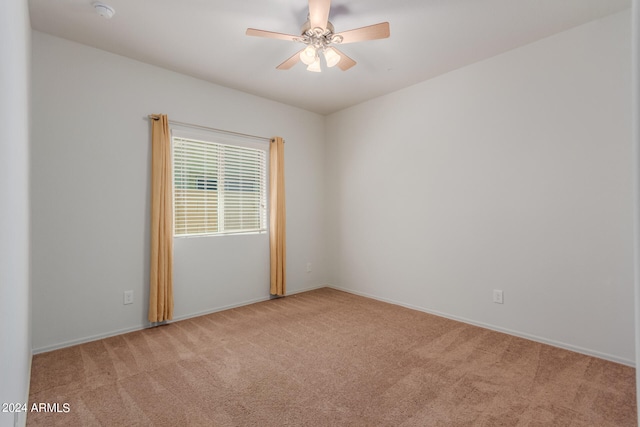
(161, 274)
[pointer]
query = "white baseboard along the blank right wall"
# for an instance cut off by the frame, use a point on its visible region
(519, 334)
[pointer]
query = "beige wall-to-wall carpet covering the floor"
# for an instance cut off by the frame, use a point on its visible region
(327, 358)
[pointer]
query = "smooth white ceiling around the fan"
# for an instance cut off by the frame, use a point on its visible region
(206, 39)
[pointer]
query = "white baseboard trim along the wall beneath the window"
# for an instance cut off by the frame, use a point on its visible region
(141, 326)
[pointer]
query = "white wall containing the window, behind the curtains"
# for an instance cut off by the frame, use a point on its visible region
(90, 175)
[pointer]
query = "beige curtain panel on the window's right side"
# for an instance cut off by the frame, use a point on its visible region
(277, 218)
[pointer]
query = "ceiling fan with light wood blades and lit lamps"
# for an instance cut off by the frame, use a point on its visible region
(319, 36)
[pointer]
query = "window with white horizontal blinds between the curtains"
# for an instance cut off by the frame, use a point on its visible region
(218, 188)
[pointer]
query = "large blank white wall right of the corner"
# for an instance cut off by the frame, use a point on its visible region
(515, 174)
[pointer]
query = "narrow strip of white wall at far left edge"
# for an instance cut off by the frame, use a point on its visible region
(15, 328)
